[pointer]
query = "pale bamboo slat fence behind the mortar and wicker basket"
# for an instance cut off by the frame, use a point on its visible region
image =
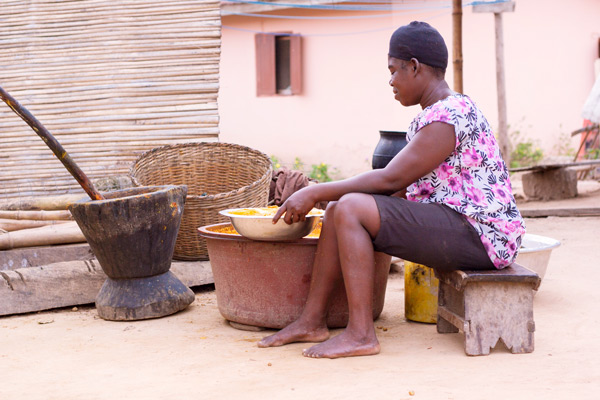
(109, 79)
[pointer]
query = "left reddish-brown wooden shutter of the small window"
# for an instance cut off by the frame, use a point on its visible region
(265, 64)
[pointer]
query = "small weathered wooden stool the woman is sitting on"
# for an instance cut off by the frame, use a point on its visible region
(489, 306)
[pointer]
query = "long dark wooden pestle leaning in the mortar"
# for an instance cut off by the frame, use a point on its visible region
(54, 145)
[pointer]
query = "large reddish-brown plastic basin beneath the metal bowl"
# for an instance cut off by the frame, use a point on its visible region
(265, 283)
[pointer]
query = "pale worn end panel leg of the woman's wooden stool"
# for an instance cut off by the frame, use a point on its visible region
(498, 311)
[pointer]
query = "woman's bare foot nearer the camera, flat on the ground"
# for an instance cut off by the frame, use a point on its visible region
(344, 345)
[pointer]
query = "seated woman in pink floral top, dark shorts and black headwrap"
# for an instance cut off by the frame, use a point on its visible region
(444, 201)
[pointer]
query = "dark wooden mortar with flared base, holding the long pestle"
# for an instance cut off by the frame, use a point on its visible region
(132, 234)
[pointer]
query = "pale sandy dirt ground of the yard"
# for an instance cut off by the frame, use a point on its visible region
(73, 354)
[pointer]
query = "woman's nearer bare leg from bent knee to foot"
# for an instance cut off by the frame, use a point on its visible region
(357, 222)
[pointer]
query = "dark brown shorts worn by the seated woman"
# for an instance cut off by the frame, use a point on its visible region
(430, 234)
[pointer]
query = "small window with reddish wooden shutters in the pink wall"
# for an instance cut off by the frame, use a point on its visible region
(278, 64)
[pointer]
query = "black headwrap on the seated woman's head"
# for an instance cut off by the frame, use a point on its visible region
(421, 41)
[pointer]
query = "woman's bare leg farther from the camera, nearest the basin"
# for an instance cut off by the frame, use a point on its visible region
(311, 326)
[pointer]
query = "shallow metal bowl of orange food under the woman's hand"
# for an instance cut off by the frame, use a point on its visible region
(262, 228)
